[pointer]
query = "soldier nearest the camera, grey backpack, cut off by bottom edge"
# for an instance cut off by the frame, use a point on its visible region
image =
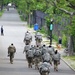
(44, 68)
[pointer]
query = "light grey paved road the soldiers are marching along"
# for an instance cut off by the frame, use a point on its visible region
(14, 30)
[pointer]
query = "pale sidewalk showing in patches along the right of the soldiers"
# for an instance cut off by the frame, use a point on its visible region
(47, 41)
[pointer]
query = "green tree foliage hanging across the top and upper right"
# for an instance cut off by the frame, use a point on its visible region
(50, 7)
